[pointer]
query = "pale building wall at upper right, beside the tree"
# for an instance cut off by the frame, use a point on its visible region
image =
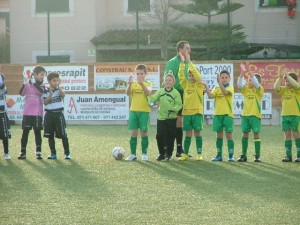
(267, 25)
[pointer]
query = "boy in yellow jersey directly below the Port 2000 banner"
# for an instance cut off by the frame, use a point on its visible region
(223, 114)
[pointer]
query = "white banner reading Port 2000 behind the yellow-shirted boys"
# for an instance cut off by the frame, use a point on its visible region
(209, 72)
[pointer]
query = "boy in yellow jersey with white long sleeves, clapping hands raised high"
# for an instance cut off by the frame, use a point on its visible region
(251, 116)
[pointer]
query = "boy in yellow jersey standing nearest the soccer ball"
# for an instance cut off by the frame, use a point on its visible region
(139, 111)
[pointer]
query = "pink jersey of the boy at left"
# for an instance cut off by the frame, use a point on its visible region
(33, 105)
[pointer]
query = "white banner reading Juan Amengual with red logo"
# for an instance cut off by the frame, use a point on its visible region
(97, 107)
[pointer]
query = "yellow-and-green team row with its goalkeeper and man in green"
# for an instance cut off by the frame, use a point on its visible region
(181, 109)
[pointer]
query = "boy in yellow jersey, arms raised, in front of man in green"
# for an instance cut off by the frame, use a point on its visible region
(192, 106)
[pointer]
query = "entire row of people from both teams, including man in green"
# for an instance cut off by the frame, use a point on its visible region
(180, 109)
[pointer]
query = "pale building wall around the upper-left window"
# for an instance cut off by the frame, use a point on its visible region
(69, 32)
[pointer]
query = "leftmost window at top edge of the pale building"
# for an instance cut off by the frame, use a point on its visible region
(43, 6)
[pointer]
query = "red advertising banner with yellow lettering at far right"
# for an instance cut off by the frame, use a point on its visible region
(269, 71)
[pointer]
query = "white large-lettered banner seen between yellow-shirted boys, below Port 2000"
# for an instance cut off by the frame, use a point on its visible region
(238, 103)
